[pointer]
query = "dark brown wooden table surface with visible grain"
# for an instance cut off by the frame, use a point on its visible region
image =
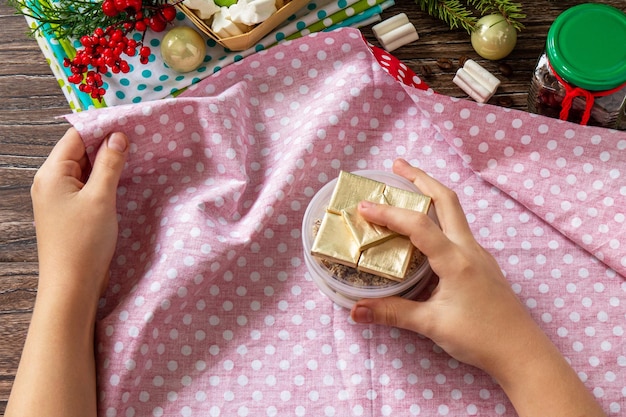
(31, 101)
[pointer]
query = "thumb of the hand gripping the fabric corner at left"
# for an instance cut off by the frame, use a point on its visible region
(109, 163)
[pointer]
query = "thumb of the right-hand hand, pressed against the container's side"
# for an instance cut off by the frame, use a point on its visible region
(390, 311)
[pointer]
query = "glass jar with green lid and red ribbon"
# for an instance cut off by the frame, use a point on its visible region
(581, 76)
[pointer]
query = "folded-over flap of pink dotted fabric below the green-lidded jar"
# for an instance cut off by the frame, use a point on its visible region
(568, 175)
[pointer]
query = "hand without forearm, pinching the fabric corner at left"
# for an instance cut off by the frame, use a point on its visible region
(75, 215)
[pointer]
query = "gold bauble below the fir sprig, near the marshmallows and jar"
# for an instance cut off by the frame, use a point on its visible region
(493, 38)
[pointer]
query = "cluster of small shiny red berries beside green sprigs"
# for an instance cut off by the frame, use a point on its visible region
(102, 51)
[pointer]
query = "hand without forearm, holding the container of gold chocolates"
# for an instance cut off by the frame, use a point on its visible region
(473, 305)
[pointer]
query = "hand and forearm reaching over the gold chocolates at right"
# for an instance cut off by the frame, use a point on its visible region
(473, 314)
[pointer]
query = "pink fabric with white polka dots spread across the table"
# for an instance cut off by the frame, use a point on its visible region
(211, 310)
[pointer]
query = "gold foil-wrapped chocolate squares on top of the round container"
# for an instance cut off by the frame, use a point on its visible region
(345, 237)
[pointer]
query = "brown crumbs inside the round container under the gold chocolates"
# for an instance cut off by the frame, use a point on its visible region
(356, 278)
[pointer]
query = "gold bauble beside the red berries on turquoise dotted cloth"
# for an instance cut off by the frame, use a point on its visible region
(183, 49)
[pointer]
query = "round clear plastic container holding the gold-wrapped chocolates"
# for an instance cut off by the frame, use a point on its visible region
(343, 292)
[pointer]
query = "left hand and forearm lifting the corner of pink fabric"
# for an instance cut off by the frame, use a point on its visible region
(76, 223)
